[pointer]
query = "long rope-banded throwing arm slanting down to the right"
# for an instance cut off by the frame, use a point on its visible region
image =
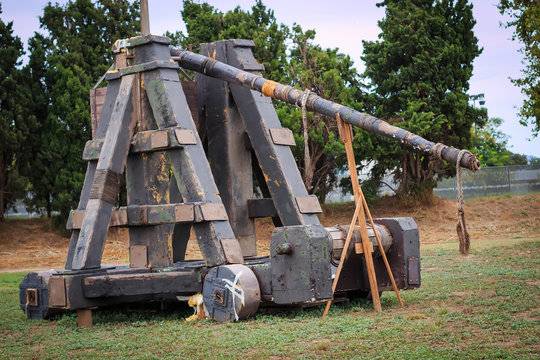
(216, 69)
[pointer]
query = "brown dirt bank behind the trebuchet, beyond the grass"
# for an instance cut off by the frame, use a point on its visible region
(32, 243)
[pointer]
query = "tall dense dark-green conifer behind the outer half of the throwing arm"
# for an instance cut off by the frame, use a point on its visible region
(419, 73)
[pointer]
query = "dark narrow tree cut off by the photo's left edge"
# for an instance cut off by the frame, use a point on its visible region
(13, 123)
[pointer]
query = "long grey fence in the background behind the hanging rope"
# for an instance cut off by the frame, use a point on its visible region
(518, 179)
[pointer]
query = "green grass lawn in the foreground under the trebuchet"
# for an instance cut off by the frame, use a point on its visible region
(485, 306)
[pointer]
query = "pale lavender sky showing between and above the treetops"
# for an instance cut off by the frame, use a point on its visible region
(344, 24)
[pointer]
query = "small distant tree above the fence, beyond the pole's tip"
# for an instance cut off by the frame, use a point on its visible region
(491, 146)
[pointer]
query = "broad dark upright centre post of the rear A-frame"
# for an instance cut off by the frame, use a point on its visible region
(228, 151)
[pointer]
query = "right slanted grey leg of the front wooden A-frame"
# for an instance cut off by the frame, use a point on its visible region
(190, 166)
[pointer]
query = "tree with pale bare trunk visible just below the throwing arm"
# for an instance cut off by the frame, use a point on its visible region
(329, 74)
